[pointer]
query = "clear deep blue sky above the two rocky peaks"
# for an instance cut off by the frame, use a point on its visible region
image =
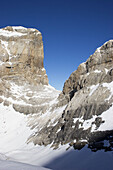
(71, 30)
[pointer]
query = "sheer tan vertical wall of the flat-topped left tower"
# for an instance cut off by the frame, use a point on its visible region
(21, 54)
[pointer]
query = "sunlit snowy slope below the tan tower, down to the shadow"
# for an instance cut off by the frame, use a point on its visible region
(18, 130)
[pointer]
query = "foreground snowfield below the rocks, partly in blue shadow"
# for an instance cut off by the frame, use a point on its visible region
(38, 156)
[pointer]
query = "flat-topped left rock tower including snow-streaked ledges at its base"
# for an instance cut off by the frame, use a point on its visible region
(23, 79)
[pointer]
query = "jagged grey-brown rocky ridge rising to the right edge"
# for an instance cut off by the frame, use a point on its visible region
(89, 96)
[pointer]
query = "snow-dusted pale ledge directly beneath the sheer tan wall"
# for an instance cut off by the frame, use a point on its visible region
(22, 94)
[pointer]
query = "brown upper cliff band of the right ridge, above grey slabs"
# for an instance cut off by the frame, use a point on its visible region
(87, 73)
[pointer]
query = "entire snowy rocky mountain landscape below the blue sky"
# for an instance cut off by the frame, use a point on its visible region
(42, 126)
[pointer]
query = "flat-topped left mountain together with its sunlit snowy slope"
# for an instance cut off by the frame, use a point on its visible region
(27, 101)
